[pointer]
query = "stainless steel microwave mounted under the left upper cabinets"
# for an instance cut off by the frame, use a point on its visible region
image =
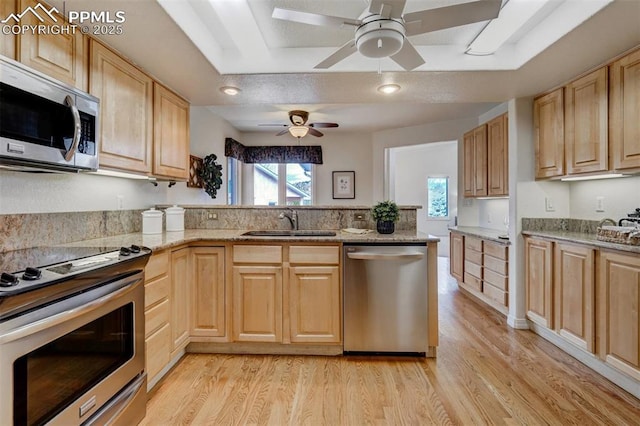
(45, 124)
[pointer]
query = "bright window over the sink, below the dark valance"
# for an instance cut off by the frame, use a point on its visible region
(282, 184)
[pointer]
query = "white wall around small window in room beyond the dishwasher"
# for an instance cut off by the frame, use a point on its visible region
(409, 169)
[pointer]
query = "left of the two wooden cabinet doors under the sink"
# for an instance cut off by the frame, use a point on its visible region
(257, 303)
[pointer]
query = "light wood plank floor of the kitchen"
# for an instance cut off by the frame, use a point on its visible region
(485, 373)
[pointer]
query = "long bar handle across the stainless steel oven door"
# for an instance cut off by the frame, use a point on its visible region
(65, 316)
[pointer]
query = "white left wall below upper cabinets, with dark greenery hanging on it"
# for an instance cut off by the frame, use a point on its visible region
(55, 192)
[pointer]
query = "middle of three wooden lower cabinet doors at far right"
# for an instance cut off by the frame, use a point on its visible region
(574, 275)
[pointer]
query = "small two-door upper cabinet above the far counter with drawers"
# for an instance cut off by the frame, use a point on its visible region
(485, 159)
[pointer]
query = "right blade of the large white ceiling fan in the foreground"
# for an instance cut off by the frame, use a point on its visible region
(425, 21)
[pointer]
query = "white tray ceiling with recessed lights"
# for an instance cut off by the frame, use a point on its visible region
(236, 42)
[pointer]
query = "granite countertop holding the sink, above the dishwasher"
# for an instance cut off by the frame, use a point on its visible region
(173, 239)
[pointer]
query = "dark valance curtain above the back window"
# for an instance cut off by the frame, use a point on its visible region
(273, 154)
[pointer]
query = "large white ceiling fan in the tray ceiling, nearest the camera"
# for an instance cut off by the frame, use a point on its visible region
(383, 28)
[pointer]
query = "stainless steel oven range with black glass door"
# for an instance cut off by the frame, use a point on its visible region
(72, 348)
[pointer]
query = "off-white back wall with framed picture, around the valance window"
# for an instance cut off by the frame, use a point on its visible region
(343, 152)
